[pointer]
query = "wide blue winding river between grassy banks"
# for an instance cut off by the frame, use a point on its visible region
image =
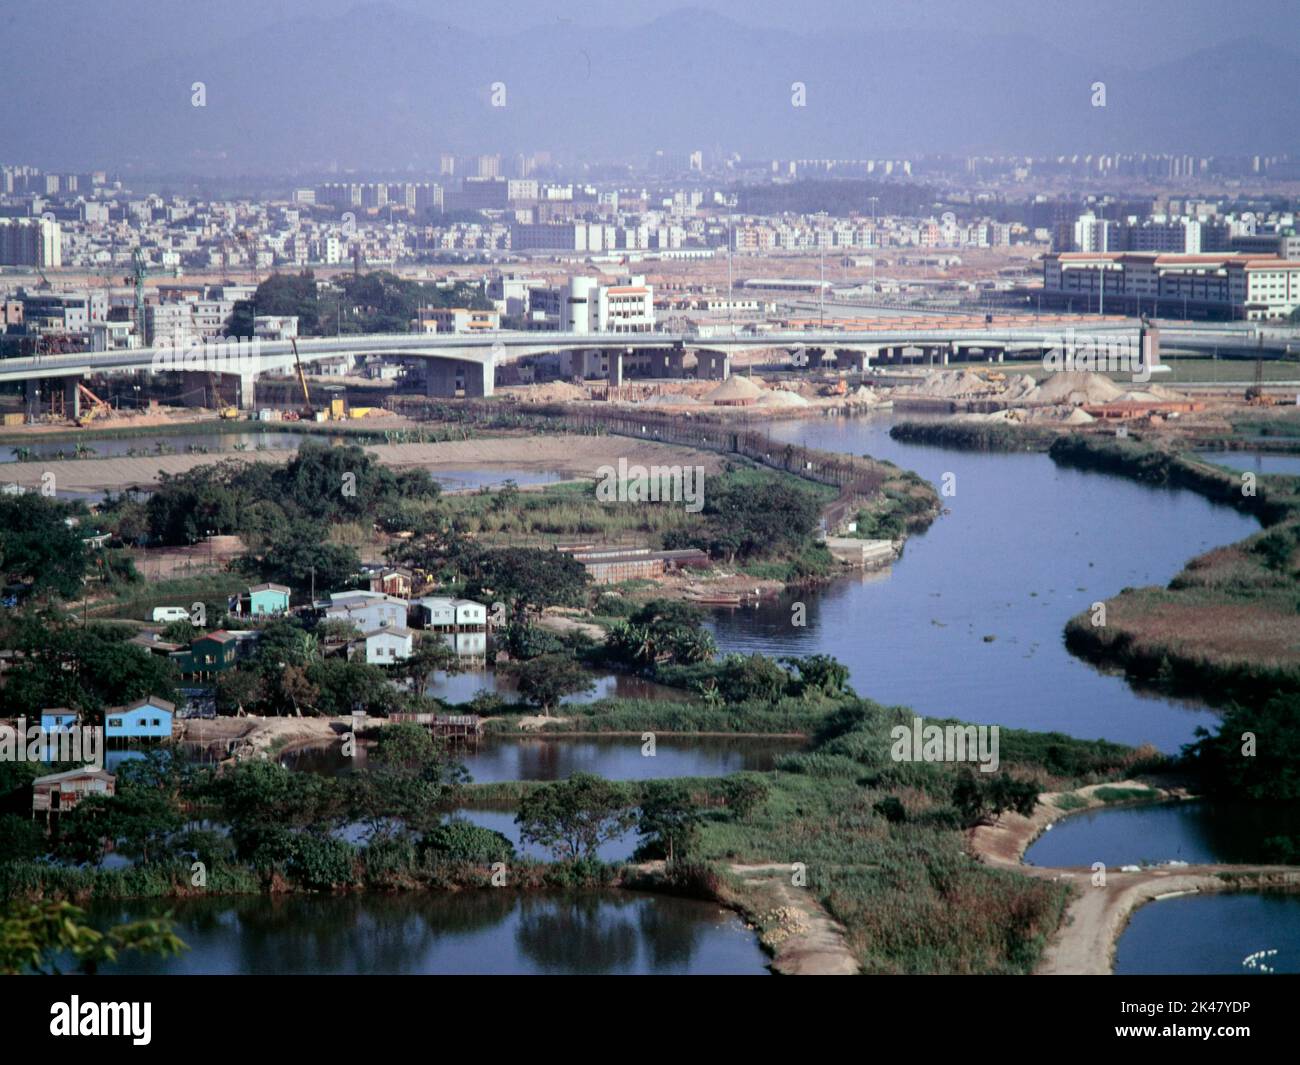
(1028, 546)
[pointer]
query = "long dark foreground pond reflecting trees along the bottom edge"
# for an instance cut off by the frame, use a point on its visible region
(474, 932)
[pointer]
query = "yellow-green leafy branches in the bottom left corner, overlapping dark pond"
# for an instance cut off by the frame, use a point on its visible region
(33, 936)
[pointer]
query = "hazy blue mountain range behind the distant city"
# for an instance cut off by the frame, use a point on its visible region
(382, 88)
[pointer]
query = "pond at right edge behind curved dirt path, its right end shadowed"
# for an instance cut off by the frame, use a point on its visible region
(1194, 833)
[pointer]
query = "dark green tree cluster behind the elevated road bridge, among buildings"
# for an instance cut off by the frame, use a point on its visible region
(375, 302)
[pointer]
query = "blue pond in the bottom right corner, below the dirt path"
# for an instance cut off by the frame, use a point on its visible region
(1211, 934)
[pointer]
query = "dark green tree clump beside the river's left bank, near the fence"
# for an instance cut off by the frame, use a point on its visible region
(746, 521)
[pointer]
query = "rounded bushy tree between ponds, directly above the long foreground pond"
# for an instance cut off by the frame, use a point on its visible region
(574, 817)
